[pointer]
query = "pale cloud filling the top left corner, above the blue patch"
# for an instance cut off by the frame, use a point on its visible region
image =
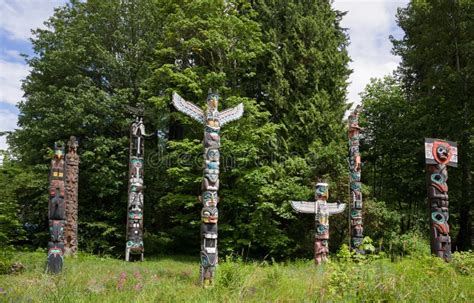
(17, 18)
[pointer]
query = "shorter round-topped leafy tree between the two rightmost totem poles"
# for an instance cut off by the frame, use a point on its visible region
(393, 152)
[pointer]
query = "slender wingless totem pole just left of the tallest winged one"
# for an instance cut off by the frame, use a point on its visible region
(134, 245)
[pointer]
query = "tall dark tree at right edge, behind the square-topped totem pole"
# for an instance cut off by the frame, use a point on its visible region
(437, 72)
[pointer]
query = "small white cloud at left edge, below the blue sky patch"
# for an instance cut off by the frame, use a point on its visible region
(11, 74)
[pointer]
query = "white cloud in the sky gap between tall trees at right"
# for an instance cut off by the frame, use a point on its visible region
(369, 24)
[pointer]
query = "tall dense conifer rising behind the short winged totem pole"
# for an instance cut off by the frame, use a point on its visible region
(302, 79)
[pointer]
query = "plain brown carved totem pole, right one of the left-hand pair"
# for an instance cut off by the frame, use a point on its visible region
(71, 201)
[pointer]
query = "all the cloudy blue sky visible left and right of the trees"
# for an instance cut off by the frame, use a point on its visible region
(369, 24)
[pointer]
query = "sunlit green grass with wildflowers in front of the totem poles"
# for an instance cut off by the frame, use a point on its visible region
(89, 278)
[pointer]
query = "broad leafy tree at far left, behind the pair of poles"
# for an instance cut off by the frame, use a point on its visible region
(89, 62)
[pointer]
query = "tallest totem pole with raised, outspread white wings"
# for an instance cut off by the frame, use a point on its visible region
(212, 120)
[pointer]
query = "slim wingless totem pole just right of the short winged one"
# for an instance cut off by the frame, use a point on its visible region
(357, 228)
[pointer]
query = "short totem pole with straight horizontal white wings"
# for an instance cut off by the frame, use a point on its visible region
(322, 211)
